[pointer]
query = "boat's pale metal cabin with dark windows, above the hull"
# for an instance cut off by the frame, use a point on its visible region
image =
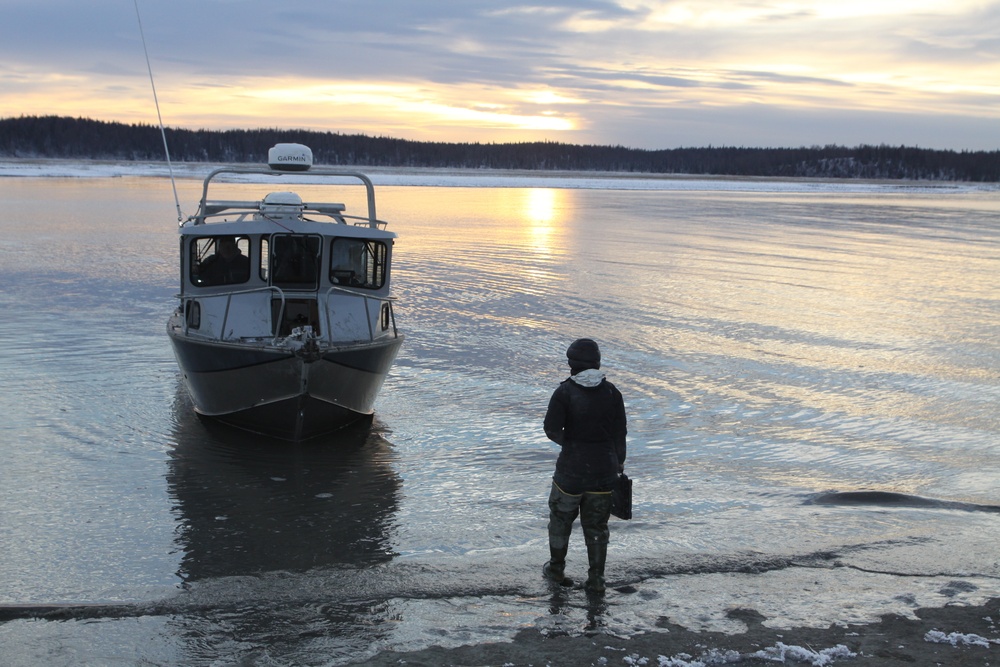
(280, 266)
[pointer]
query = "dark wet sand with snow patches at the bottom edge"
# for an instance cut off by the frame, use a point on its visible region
(953, 635)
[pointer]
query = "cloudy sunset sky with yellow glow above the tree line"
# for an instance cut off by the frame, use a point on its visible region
(650, 74)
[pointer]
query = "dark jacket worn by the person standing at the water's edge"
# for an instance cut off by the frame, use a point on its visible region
(589, 424)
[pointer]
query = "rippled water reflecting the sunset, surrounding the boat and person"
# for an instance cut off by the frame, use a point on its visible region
(776, 346)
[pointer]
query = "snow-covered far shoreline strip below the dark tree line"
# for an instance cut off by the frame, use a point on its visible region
(496, 178)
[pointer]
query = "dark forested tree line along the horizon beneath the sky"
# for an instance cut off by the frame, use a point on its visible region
(63, 137)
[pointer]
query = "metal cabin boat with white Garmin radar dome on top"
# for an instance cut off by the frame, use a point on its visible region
(285, 324)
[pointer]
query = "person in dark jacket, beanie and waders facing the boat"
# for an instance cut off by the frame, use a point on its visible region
(586, 418)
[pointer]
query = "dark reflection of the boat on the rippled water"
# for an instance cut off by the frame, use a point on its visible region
(246, 507)
